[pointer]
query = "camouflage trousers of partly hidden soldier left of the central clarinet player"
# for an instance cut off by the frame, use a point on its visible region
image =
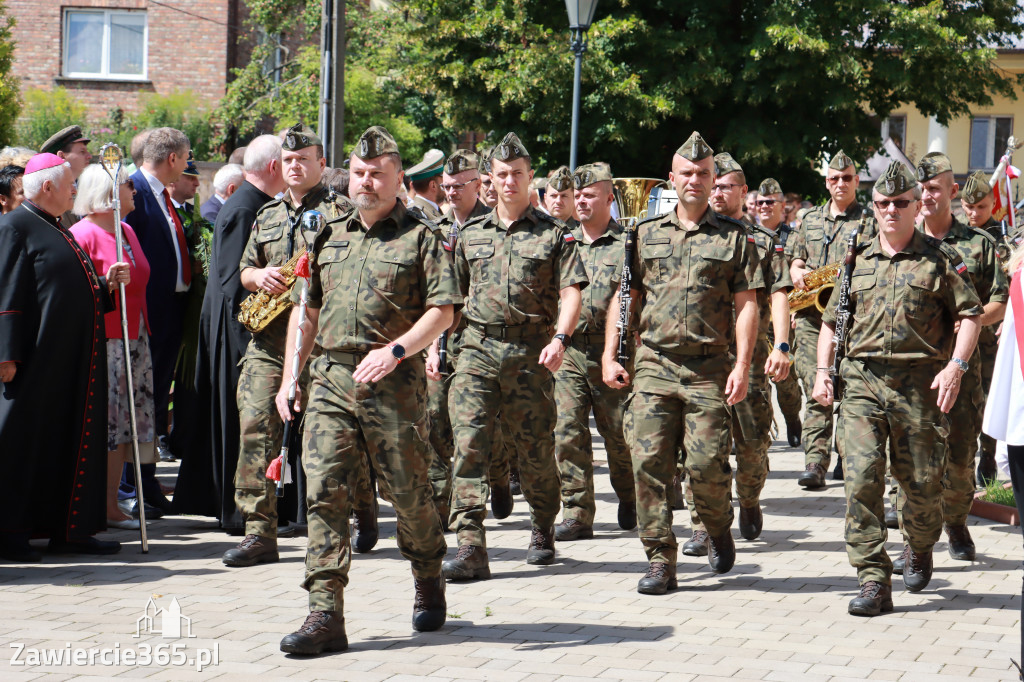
(579, 389)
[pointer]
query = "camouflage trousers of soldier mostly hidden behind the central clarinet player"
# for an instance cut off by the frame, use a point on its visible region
(752, 439)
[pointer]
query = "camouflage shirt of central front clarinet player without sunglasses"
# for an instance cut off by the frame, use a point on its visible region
(689, 278)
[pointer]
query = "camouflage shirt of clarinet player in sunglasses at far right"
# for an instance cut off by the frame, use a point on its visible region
(905, 306)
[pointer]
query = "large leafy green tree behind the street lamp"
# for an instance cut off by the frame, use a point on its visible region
(780, 83)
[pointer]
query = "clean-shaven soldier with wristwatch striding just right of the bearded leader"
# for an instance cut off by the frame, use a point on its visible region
(521, 273)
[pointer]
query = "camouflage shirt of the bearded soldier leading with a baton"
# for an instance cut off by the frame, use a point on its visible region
(373, 285)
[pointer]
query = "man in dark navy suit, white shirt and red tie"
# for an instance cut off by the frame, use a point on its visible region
(162, 237)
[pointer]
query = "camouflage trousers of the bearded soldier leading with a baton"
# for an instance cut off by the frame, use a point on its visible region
(346, 423)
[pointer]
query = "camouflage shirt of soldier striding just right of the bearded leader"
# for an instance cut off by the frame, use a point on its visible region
(513, 276)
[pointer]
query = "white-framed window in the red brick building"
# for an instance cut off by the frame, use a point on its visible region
(102, 44)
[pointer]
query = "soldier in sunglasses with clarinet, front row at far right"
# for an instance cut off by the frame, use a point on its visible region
(907, 293)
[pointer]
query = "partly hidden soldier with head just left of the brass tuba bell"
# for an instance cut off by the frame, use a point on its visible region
(579, 388)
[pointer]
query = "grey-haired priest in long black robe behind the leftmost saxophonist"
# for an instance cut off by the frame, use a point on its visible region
(206, 480)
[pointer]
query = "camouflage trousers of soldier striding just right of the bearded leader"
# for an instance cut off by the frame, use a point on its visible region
(502, 377)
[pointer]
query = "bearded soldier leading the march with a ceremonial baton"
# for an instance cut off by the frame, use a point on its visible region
(381, 289)
